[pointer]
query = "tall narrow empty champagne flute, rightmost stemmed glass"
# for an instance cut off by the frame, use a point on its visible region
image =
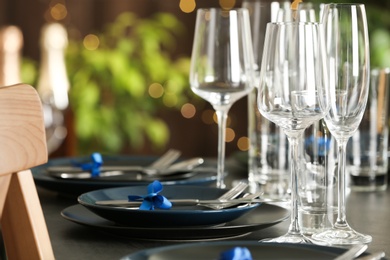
(349, 71)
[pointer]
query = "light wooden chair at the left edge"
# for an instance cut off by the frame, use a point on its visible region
(22, 146)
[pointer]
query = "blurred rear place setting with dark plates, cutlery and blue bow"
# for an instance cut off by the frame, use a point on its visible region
(63, 176)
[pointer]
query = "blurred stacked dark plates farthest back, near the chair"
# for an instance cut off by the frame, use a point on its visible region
(74, 187)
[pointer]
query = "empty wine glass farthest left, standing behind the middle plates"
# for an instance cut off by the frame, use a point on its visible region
(222, 65)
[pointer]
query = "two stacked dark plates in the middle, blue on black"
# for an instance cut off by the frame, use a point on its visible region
(176, 223)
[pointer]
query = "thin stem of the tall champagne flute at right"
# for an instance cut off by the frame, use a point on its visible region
(341, 216)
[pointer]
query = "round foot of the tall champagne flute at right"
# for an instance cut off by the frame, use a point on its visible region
(340, 237)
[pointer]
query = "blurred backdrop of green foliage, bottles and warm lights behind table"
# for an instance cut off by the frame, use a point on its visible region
(123, 65)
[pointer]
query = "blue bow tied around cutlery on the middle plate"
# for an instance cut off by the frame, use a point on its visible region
(152, 200)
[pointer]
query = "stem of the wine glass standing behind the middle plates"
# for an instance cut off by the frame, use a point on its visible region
(222, 113)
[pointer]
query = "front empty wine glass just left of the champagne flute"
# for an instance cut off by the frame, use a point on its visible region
(293, 93)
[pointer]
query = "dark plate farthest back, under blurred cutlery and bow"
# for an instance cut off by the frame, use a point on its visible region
(74, 187)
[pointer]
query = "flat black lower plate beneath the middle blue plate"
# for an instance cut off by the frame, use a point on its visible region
(262, 217)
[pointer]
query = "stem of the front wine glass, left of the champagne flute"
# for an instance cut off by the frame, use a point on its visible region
(294, 150)
